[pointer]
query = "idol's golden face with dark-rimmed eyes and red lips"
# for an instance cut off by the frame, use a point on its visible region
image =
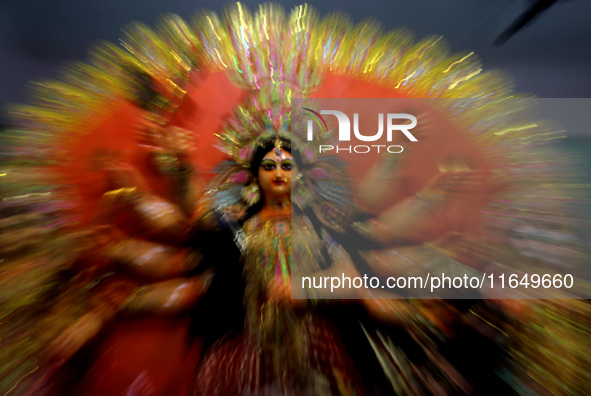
(275, 173)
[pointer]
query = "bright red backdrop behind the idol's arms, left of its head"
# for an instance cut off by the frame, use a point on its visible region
(210, 99)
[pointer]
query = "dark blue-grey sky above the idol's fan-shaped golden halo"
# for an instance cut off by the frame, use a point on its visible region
(550, 57)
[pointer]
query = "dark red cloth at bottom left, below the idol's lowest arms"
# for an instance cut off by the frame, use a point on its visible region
(142, 357)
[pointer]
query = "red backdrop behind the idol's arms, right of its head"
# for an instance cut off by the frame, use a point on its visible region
(448, 141)
